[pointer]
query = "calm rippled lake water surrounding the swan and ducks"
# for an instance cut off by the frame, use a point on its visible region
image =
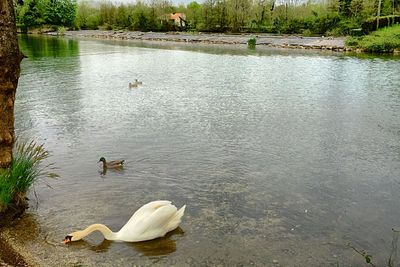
(282, 158)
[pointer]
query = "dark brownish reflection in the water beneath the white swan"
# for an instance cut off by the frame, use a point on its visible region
(157, 247)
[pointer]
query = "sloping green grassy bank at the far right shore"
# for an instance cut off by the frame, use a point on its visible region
(385, 40)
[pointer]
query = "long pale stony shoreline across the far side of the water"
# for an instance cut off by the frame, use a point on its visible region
(263, 40)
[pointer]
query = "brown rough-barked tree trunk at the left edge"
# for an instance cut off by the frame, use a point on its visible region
(10, 58)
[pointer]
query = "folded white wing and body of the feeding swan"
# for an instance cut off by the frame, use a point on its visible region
(149, 222)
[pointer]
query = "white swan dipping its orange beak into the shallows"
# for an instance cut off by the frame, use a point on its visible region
(151, 221)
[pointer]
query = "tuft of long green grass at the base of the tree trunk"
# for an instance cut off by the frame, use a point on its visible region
(25, 170)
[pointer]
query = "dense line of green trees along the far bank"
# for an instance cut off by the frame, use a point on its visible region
(334, 17)
